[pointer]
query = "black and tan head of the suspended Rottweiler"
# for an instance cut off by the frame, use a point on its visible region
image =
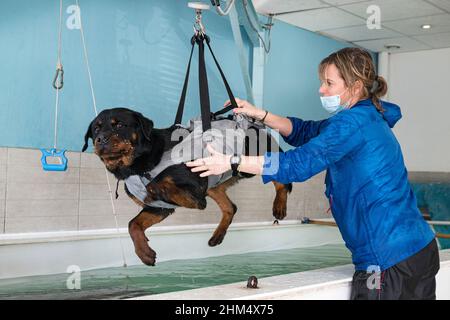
(119, 136)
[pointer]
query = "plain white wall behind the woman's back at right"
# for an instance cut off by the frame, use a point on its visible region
(420, 83)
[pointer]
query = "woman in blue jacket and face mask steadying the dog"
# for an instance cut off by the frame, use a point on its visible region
(393, 248)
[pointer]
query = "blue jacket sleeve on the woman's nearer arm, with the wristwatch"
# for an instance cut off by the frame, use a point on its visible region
(334, 142)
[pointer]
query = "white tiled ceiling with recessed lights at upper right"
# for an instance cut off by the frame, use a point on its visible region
(401, 21)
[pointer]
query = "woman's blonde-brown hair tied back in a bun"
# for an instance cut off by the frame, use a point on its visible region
(356, 64)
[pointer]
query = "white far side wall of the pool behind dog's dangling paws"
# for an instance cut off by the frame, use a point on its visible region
(53, 252)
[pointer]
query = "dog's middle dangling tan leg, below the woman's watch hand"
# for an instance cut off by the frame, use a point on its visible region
(228, 208)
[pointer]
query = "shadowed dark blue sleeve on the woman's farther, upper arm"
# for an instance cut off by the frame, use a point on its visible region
(303, 131)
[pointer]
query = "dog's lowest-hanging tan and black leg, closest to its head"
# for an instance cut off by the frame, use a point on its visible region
(136, 227)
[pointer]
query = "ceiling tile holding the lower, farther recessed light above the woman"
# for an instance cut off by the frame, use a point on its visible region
(406, 44)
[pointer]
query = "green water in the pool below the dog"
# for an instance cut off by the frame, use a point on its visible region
(176, 275)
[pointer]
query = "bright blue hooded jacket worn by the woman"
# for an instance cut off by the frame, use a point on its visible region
(366, 181)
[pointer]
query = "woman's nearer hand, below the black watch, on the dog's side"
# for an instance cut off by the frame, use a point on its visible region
(215, 164)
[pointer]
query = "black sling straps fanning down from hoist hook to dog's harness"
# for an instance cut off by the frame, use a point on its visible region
(203, 85)
